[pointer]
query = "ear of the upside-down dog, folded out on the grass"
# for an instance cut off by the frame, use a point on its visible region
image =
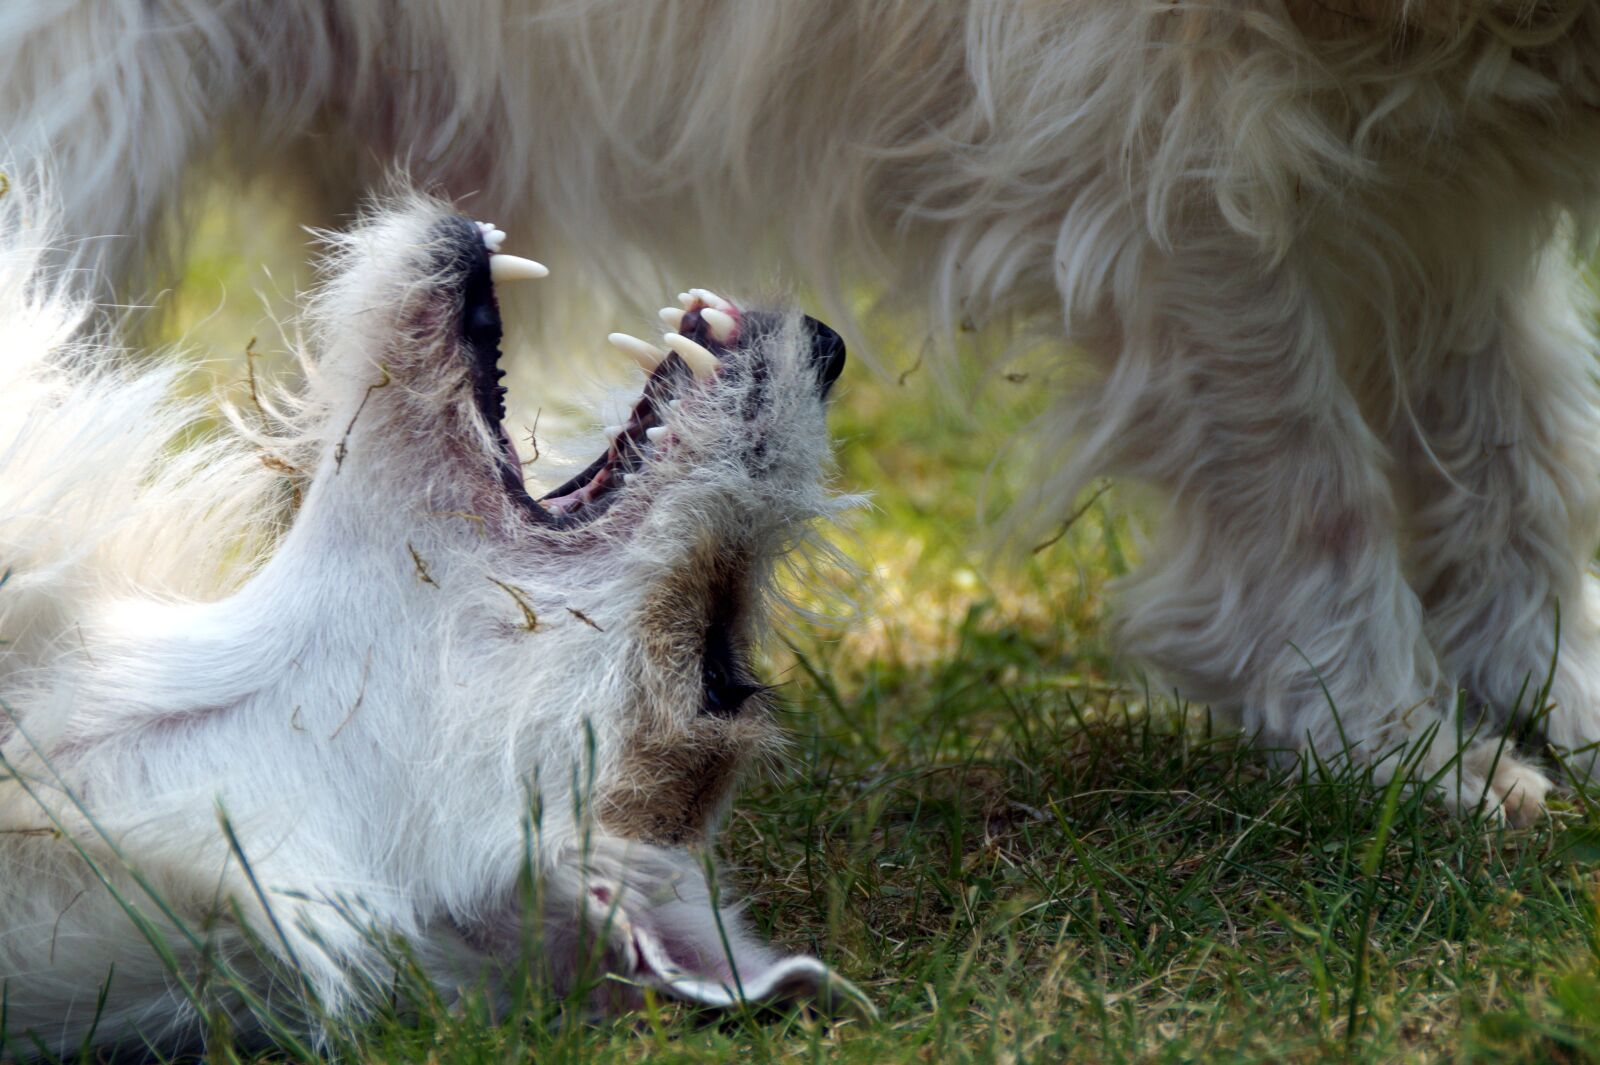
(658, 912)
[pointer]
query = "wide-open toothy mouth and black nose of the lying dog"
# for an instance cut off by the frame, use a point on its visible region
(705, 341)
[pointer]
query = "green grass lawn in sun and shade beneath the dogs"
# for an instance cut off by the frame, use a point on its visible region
(1025, 856)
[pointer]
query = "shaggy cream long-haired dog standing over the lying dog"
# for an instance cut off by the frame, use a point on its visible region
(1318, 250)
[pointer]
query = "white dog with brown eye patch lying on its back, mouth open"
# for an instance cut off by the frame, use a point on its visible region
(287, 780)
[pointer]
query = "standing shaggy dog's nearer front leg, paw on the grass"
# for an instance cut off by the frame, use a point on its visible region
(1278, 588)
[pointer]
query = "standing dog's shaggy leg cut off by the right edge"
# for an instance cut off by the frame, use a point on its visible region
(1503, 482)
